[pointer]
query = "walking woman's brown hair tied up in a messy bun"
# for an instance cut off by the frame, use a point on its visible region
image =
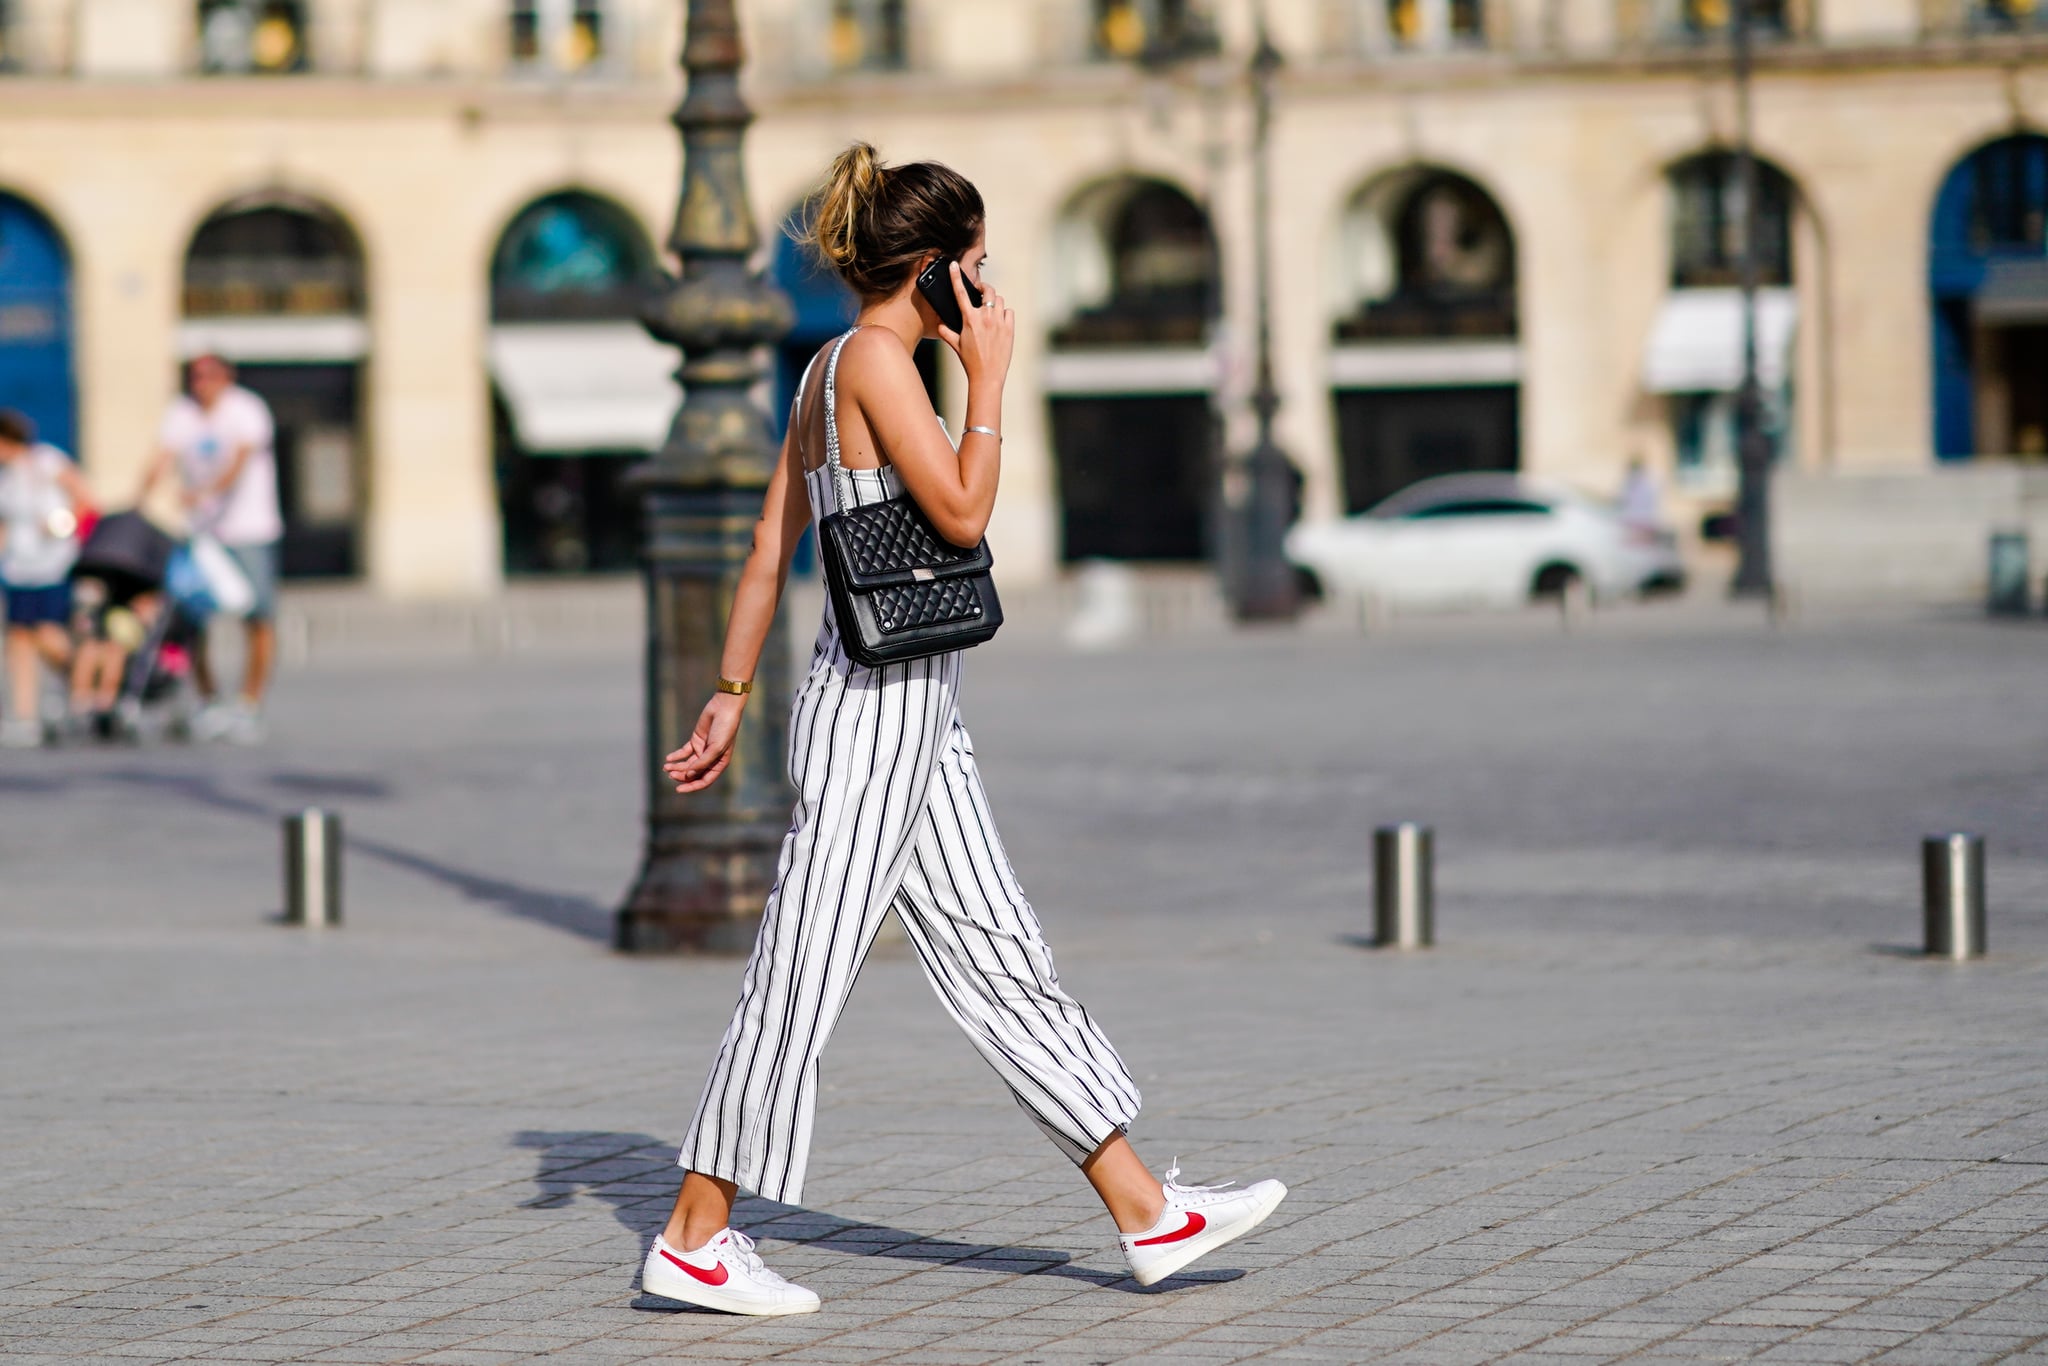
(876, 224)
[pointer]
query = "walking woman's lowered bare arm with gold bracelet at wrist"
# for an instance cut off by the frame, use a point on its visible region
(785, 513)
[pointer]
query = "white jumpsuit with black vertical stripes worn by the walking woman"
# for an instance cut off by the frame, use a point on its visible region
(892, 816)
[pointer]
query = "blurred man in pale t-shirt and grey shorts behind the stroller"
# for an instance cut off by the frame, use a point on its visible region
(220, 443)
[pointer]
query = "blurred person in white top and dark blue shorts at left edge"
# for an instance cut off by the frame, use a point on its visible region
(40, 505)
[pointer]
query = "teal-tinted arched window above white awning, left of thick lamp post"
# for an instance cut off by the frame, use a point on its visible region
(570, 257)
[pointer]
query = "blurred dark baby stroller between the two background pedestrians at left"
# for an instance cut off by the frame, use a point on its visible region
(134, 636)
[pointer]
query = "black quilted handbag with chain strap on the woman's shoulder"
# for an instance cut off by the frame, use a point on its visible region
(898, 589)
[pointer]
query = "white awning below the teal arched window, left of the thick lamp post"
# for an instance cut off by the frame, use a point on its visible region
(597, 386)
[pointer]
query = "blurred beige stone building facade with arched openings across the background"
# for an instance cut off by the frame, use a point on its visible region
(1504, 237)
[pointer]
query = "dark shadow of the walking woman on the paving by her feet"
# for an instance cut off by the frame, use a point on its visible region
(638, 1177)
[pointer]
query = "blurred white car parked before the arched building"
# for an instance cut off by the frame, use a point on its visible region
(1488, 540)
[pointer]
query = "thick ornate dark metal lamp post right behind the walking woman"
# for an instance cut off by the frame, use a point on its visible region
(710, 857)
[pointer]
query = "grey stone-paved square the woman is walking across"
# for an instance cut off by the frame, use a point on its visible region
(1672, 1088)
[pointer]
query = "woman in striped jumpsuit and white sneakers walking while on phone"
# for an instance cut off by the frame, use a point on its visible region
(890, 806)
